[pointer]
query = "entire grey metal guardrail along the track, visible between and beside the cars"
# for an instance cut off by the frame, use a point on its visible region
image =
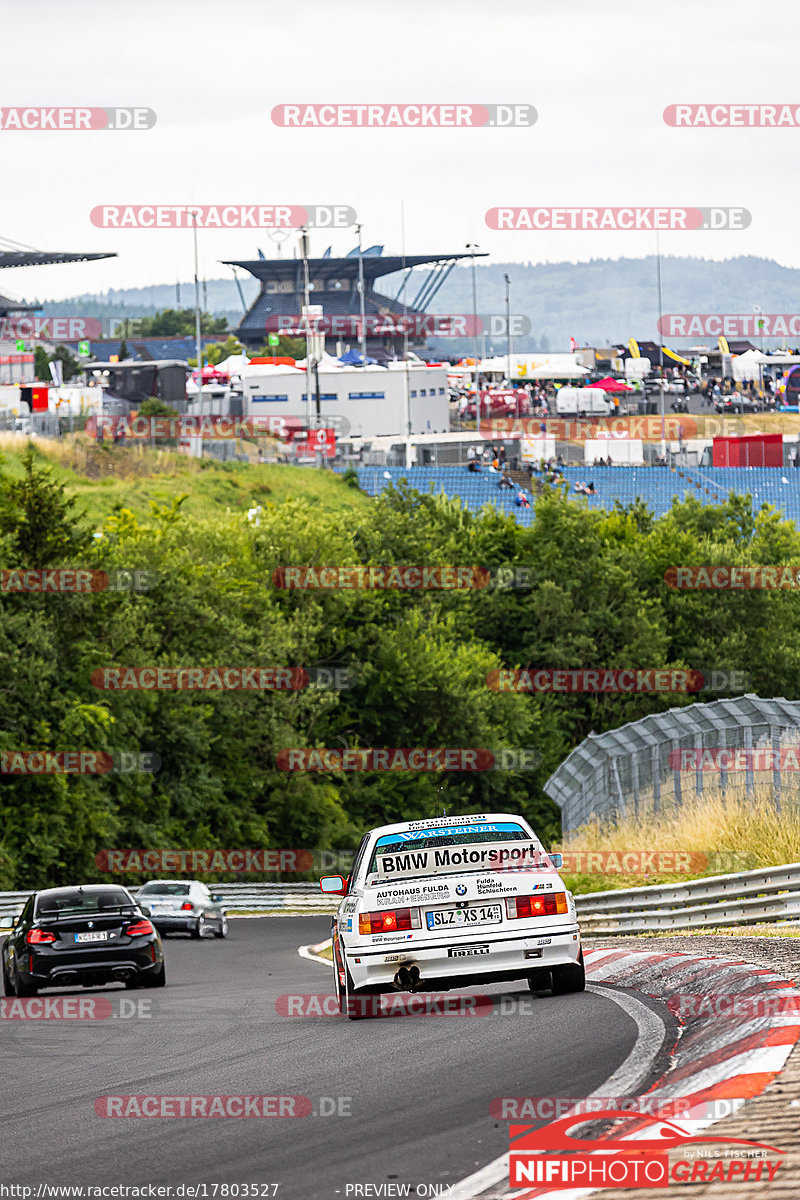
(741, 899)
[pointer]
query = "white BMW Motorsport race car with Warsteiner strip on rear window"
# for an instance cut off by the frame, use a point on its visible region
(450, 903)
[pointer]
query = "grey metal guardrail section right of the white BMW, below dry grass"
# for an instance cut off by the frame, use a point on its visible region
(741, 899)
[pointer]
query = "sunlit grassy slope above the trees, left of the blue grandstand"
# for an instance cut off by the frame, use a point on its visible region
(135, 477)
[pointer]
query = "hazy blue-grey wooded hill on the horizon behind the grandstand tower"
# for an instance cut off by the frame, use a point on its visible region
(598, 303)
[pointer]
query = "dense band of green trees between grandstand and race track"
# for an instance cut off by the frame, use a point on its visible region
(596, 596)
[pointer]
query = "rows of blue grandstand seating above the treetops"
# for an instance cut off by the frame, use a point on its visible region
(658, 487)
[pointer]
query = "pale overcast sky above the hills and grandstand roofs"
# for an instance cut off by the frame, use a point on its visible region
(599, 75)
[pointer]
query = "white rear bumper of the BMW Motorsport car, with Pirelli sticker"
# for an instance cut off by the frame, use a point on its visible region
(446, 964)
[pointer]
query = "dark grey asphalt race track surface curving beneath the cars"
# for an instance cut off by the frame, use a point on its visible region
(416, 1090)
